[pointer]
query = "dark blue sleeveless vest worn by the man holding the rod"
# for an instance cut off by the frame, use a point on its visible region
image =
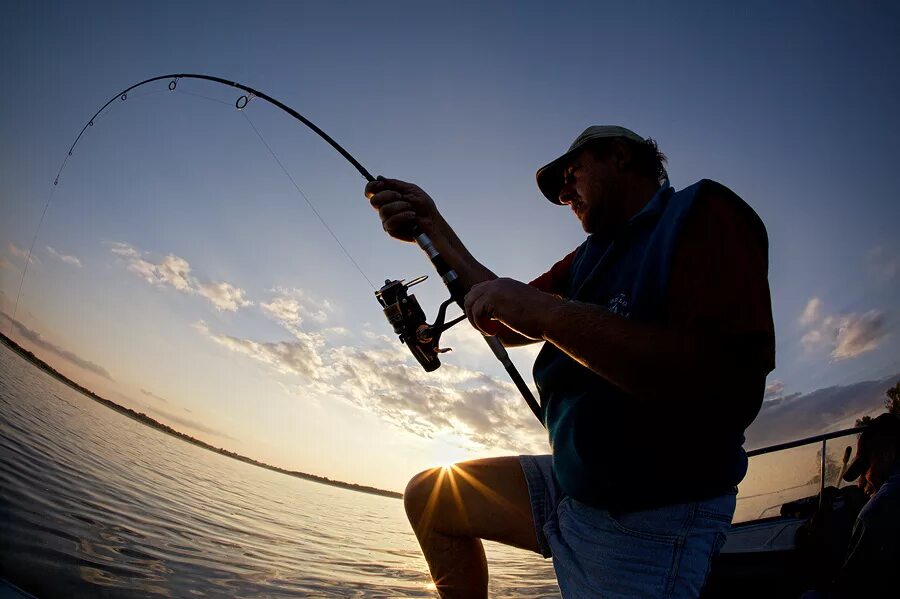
(610, 450)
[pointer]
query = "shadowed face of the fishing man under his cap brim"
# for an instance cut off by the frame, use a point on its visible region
(591, 187)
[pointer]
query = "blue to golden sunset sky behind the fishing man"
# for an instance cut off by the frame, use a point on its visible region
(180, 272)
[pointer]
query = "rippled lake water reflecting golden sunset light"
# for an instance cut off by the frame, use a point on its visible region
(94, 504)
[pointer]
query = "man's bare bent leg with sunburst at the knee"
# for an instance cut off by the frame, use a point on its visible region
(452, 508)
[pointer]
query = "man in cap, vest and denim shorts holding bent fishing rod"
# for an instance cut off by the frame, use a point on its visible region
(657, 335)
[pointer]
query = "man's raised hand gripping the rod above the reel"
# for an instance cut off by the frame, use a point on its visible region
(401, 206)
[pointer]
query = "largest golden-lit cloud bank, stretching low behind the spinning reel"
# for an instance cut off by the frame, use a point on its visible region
(384, 379)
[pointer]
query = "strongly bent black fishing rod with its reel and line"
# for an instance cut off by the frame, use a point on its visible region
(401, 308)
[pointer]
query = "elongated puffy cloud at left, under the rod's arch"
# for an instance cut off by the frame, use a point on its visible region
(175, 272)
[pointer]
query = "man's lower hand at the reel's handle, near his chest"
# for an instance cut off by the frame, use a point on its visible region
(517, 305)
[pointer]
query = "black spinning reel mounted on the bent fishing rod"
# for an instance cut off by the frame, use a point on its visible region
(408, 319)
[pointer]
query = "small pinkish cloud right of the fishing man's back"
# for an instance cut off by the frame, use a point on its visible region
(843, 335)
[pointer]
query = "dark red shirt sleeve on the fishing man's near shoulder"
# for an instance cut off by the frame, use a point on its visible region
(719, 279)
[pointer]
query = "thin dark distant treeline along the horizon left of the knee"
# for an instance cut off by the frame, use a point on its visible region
(141, 417)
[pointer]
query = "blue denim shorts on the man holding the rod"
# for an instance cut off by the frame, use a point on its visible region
(660, 552)
